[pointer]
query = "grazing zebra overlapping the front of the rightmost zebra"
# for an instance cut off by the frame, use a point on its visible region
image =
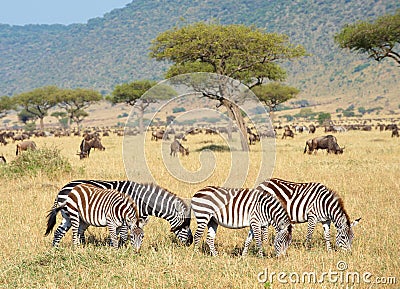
(239, 208)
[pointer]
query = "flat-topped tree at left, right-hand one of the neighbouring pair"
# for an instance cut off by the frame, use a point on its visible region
(75, 101)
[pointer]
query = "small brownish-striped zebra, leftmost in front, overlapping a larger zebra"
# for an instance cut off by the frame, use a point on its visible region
(87, 205)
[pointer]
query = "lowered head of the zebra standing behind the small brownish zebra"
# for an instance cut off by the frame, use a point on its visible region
(180, 226)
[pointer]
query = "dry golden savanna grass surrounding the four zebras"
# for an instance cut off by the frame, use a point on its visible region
(366, 176)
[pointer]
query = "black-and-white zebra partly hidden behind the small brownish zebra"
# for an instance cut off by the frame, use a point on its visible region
(150, 199)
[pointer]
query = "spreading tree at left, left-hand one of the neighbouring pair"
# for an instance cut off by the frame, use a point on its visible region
(38, 101)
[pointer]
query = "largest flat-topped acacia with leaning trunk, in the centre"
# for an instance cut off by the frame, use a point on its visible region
(239, 52)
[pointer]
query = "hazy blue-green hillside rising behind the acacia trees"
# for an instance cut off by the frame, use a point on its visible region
(113, 49)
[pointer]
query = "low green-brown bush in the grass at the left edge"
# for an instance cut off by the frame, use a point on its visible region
(45, 161)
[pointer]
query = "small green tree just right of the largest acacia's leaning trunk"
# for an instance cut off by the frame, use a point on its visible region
(274, 93)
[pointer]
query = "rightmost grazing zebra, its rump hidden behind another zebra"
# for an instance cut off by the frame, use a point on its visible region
(313, 203)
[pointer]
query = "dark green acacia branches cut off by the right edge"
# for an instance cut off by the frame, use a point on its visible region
(379, 39)
